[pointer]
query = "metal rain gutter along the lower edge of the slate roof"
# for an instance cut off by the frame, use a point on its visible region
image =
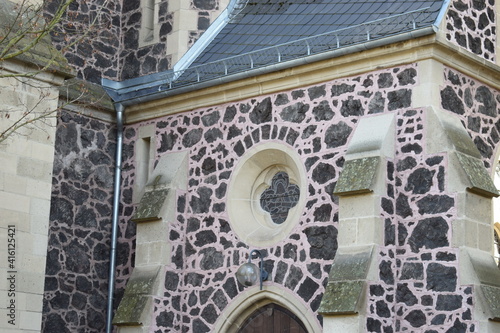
(114, 87)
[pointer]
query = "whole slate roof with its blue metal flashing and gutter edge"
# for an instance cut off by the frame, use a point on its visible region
(258, 34)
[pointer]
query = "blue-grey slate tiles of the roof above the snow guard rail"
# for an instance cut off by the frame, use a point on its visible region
(265, 23)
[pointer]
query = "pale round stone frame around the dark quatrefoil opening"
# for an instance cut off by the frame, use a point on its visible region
(252, 175)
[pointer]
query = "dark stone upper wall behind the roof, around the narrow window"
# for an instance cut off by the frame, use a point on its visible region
(102, 52)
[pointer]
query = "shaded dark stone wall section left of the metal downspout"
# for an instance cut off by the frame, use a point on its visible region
(76, 279)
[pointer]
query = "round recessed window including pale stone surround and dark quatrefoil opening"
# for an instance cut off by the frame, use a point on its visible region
(266, 194)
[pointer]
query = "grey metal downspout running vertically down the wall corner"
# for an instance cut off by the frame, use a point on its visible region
(116, 203)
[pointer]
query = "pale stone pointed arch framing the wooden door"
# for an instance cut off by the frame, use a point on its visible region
(252, 299)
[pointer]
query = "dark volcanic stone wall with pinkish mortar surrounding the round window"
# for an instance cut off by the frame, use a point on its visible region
(317, 122)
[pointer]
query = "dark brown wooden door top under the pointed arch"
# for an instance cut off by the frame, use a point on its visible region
(272, 318)
